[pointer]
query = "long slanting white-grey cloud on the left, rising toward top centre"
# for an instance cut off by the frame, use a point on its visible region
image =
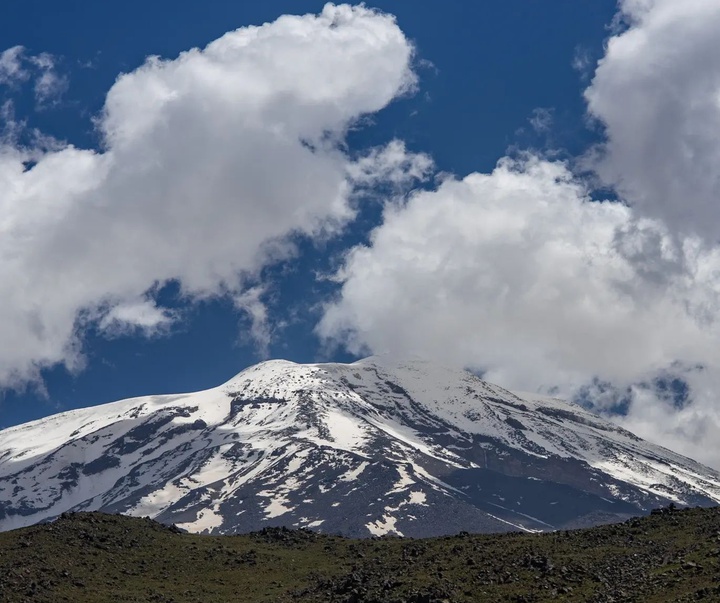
(209, 161)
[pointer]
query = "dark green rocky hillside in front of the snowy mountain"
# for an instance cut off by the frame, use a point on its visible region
(670, 556)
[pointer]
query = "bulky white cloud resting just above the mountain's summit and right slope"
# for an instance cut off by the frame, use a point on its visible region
(518, 273)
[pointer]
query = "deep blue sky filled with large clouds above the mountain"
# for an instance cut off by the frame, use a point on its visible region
(495, 268)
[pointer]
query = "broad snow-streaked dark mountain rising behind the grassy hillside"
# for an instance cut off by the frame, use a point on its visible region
(369, 448)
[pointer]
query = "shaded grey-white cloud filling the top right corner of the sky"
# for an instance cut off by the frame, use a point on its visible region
(657, 90)
